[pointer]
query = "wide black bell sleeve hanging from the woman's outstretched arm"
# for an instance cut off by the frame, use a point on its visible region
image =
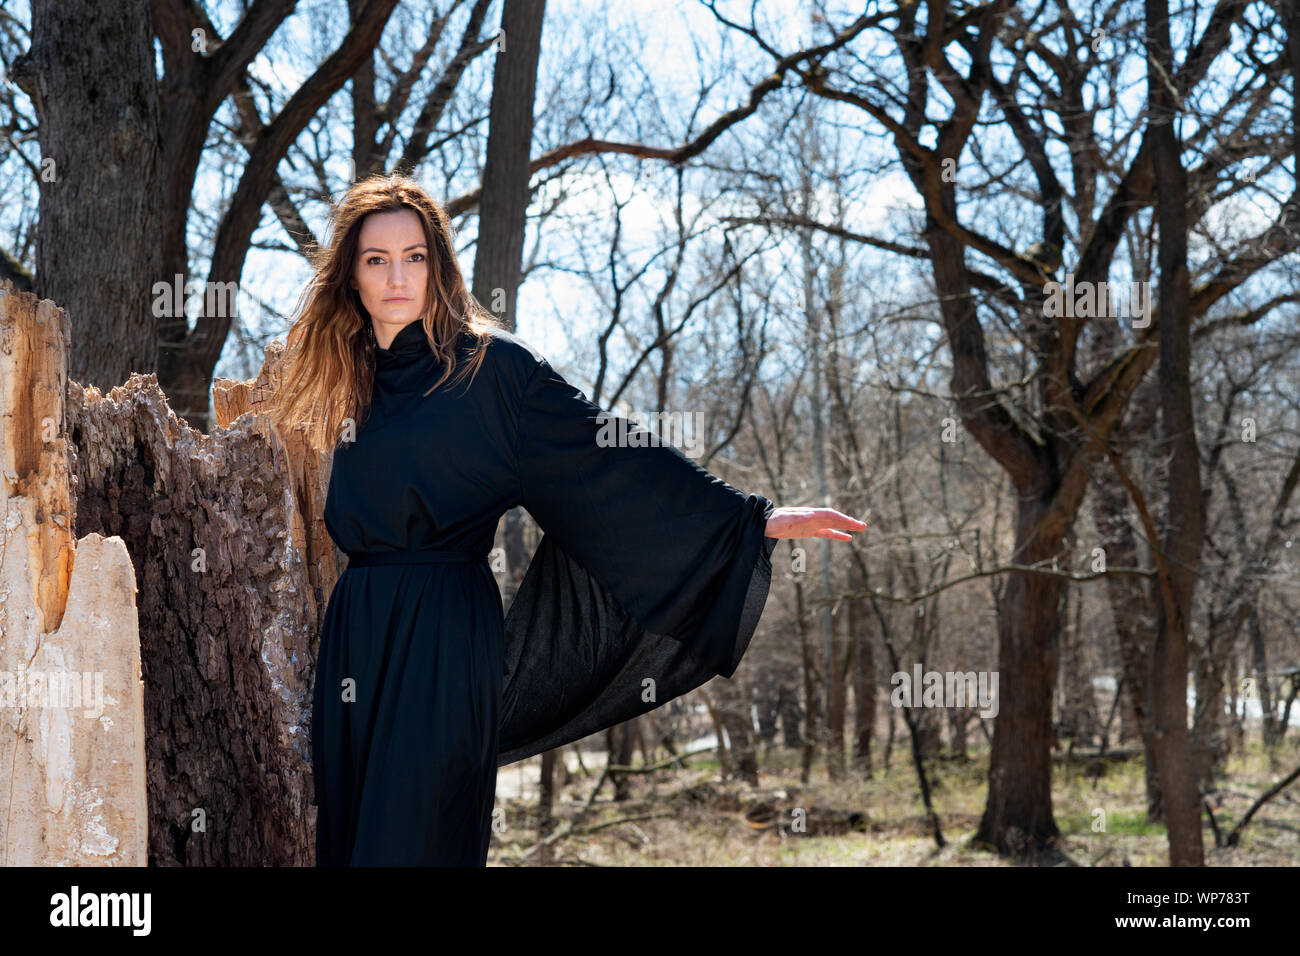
(649, 579)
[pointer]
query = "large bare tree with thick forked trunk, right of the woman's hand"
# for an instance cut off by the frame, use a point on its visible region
(1050, 430)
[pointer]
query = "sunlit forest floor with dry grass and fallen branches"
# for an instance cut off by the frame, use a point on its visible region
(696, 819)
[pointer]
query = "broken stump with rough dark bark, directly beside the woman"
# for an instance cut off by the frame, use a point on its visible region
(233, 572)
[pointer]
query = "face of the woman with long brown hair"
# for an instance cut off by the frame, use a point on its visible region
(392, 271)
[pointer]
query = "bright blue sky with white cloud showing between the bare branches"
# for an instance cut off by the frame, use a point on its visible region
(660, 53)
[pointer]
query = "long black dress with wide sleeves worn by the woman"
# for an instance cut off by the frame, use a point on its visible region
(649, 581)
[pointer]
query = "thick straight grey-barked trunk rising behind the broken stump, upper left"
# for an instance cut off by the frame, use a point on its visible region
(90, 76)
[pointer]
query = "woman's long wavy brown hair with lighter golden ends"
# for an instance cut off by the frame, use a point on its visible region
(327, 373)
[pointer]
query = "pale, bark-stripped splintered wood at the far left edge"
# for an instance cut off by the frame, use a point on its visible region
(72, 743)
